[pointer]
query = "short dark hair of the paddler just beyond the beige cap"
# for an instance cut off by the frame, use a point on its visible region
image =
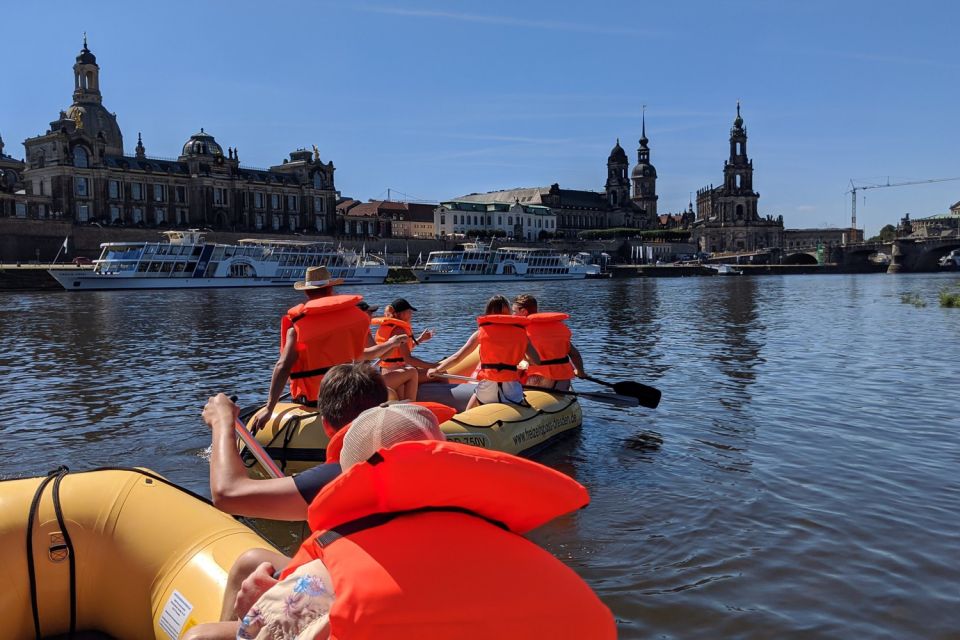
(348, 390)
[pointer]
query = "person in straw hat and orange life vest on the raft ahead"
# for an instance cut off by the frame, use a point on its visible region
(325, 331)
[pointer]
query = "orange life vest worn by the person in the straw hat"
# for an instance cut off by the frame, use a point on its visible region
(329, 331)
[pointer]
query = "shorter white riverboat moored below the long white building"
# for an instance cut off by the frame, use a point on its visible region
(478, 262)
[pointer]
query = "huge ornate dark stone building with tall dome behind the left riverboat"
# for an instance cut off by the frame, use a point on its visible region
(78, 170)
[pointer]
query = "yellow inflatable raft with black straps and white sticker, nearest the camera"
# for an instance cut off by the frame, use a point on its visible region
(123, 552)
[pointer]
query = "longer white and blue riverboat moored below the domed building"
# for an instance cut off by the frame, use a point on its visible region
(185, 261)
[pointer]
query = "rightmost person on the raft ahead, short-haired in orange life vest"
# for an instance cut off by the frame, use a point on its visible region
(550, 337)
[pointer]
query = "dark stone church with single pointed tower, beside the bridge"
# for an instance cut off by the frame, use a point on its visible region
(727, 218)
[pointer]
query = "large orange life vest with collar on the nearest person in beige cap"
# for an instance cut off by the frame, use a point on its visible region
(423, 520)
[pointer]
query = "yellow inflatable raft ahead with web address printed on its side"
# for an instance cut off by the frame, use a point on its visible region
(295, 439)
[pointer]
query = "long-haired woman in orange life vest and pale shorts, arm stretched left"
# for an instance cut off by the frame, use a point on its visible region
(502, 340)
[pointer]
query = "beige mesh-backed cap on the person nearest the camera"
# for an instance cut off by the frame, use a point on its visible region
(384, 426)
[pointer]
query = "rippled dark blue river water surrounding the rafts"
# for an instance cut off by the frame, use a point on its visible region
(801, 477)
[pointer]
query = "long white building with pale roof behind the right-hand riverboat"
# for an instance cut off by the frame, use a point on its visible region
(461, 219)
